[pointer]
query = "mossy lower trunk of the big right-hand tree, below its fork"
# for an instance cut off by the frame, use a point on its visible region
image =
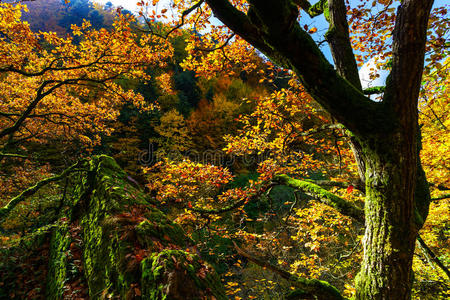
(391, 230)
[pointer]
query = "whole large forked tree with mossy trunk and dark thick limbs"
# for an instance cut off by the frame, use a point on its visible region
(385, 135)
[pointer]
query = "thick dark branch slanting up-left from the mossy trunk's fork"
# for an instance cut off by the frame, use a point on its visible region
(272, 27)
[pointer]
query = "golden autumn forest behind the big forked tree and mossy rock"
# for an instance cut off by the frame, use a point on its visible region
(204, 133)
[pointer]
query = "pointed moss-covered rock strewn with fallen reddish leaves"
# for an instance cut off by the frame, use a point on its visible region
(113, 244)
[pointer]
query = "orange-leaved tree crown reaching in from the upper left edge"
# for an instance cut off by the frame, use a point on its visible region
(52, 87)
